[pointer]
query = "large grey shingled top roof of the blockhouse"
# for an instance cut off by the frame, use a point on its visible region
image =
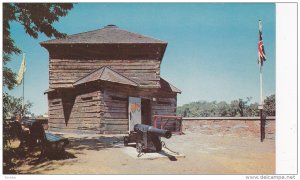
(110, 34)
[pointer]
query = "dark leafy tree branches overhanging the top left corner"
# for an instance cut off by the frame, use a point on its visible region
(35, 18)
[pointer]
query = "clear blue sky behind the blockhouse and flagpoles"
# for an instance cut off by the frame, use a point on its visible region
(211, 53)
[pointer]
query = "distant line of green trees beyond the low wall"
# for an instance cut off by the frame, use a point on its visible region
(235, 108)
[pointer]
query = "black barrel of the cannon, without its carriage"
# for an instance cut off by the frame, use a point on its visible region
(159, 132)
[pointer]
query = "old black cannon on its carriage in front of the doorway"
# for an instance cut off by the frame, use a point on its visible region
(147, 138)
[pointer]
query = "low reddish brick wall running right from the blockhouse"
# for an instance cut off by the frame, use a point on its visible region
(242, 126)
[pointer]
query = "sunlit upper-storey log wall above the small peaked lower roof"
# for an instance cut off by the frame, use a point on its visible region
(64, 72)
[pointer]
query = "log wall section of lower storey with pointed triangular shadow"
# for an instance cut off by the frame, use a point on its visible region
(75, 112)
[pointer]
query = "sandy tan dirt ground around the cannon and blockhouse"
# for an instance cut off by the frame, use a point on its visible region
(205, 154)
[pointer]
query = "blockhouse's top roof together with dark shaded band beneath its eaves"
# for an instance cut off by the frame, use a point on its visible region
(109, 42)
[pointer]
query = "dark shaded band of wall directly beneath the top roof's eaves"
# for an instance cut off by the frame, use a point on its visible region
(138, 51)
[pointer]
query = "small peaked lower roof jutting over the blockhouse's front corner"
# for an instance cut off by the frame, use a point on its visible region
(106, 74)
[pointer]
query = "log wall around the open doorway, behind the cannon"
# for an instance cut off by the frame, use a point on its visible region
(115, 100)
